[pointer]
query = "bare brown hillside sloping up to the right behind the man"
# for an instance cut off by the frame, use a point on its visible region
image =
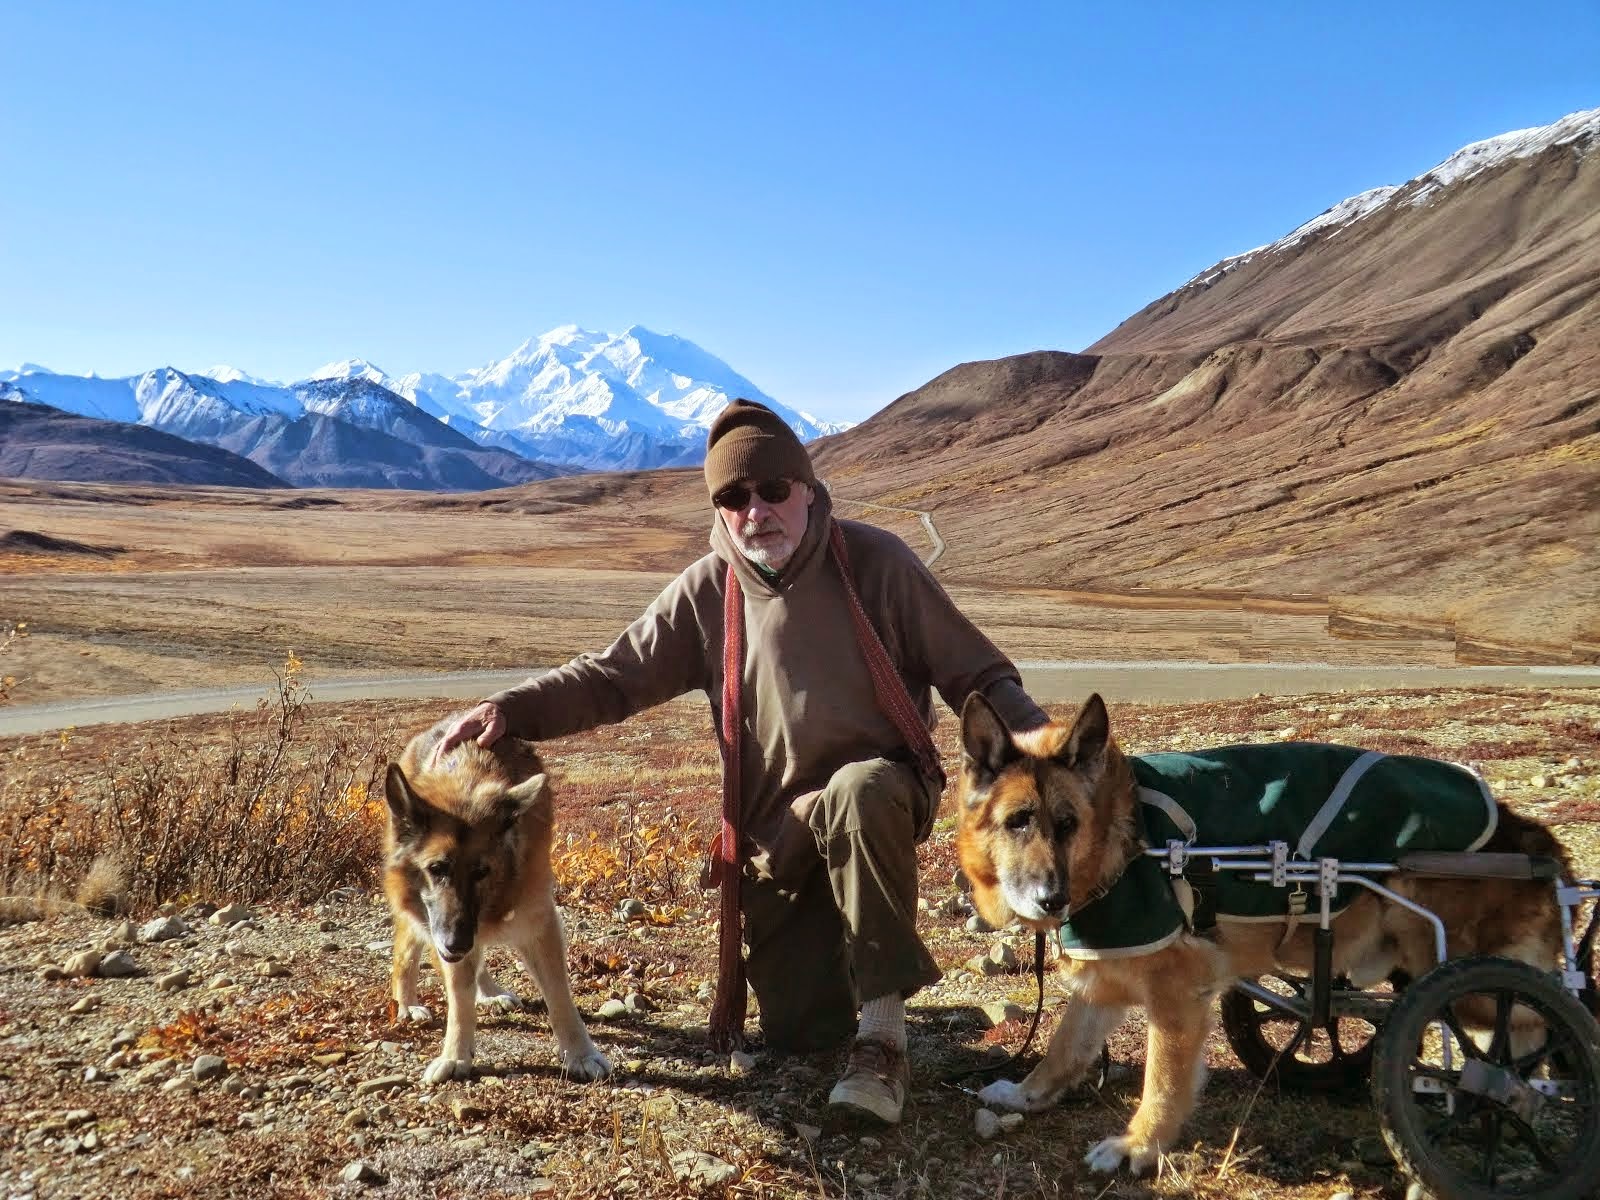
(1402, 415)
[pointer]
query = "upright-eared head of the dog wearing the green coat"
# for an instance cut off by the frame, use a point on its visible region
(1046, 817)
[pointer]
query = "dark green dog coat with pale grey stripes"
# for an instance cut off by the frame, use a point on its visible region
(1321, 801)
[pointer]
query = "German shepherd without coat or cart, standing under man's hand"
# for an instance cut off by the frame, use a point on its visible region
(468, 863)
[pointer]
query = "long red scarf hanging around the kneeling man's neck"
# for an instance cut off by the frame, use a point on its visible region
(727, 1014)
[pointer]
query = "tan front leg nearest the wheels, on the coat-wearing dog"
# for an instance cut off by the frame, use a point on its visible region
(1174, 1076)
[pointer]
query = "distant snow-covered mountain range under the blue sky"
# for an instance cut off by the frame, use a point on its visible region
(569, 401)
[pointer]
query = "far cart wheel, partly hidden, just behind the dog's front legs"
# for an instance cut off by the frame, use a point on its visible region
(1335, 1068)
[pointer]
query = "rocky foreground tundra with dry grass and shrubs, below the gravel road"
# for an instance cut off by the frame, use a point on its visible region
(254, 1055)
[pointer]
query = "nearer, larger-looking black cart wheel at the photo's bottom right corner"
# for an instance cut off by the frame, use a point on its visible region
(1484, 1151)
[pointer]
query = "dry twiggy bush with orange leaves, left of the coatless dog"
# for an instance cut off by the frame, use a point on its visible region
(266, 812)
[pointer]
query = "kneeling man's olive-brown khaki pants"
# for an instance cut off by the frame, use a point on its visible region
(831, 914)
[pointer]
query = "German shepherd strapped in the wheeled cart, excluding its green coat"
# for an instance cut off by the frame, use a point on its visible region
(1049, 825)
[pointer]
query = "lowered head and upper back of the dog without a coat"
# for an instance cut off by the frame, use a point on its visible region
(457, 828)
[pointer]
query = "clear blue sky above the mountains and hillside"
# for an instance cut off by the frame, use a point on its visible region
(841, 201)
